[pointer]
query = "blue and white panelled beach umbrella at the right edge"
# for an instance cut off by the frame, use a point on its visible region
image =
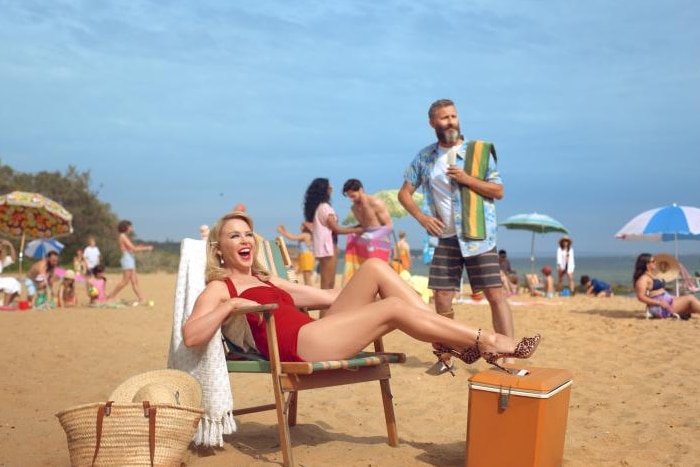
(666, 224)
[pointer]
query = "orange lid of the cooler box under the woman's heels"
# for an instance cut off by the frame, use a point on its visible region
(535, 382)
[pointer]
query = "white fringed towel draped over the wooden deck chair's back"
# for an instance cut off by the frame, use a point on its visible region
(207, 364)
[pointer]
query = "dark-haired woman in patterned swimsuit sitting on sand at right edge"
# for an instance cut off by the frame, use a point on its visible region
(651, 291)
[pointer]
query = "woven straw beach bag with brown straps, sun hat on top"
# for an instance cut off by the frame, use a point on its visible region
(150, 420)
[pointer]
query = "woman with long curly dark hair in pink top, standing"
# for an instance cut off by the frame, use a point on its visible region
(324, 227)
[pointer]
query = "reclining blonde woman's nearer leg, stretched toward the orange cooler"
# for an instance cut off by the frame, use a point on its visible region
(342, 335)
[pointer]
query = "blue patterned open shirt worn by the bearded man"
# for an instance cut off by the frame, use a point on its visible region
(418, 174)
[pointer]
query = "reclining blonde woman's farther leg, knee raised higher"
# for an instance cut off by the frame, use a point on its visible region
(375, 277)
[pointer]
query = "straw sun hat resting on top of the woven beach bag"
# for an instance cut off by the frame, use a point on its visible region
(160, 386)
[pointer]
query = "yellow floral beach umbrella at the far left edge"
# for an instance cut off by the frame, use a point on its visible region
(32, 215)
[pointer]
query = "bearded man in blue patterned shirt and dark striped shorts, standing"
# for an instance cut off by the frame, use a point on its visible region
(467, 236)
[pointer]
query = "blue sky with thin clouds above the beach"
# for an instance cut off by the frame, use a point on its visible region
(181, 109)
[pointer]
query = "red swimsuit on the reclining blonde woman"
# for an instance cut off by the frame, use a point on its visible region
(288, 319)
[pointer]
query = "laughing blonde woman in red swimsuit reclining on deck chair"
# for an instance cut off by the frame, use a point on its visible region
(355, 316)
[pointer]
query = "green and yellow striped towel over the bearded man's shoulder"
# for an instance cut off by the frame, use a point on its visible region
(476, 163)
